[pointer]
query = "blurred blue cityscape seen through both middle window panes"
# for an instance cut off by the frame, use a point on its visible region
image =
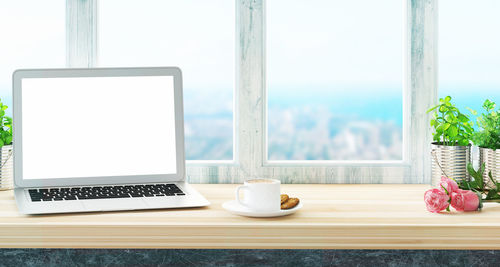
(298, 130)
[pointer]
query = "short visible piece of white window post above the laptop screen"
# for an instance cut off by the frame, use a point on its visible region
(81, 33)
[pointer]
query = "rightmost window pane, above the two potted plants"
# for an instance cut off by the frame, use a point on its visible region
(469, 52)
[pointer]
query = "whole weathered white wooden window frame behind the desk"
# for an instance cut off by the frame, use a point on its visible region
(250, 101)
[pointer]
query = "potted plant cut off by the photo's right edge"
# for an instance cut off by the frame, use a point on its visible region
(487, 138)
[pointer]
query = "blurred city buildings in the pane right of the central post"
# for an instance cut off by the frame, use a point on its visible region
(318, 134)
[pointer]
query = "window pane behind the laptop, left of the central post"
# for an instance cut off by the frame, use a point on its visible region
(196, 35)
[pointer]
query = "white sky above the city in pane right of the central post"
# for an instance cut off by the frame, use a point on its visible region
(318, 43)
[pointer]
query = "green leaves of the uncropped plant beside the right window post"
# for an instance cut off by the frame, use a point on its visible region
(451, 127)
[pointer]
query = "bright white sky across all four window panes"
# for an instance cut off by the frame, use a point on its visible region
(323, 47)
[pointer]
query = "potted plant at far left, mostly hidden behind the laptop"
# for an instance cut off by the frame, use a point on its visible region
(6, 172)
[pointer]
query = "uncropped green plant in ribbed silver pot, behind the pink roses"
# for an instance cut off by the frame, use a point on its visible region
(451, 149)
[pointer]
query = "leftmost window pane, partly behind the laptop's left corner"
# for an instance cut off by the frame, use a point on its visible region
(32, 36)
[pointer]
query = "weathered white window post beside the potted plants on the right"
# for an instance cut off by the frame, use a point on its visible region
(423, 83)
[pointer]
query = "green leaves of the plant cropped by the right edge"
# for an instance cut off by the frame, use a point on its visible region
(488, 135)
